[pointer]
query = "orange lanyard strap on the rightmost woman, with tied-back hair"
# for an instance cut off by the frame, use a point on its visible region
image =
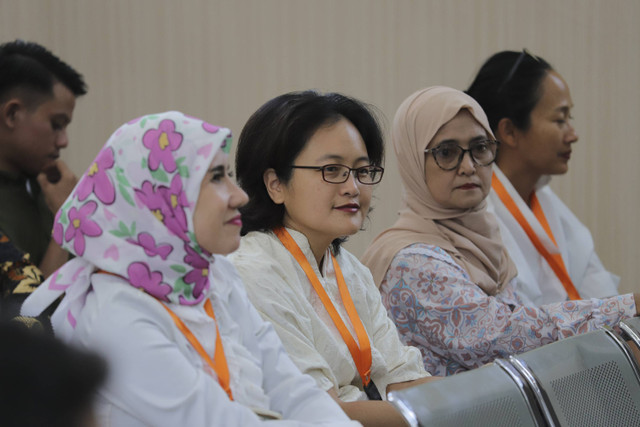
(554, 260)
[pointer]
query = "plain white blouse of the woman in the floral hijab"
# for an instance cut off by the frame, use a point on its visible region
(156, 378)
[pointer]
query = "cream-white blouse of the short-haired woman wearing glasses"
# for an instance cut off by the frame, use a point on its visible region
(281, 292)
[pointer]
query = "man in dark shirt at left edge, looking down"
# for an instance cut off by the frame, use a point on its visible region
(37, 97)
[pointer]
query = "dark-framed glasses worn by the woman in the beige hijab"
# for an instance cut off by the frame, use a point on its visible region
(448, 155)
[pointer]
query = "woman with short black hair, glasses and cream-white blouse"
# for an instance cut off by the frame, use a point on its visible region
(309, 163)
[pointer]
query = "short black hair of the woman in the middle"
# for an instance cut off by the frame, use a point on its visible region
(278, 132)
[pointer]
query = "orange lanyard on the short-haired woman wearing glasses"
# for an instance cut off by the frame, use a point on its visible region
(361, 354)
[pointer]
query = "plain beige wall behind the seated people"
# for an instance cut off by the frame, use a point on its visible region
(220, 60)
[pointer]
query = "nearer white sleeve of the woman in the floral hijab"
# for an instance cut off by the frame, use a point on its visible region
(149, 376)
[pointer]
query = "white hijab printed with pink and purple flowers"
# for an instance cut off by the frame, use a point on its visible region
(131, 214)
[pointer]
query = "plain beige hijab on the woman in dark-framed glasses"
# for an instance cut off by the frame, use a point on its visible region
(470, 236)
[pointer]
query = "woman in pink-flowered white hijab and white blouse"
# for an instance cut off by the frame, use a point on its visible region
(145, 290)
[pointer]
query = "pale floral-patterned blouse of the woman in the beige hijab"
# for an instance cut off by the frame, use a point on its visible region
(456, 326)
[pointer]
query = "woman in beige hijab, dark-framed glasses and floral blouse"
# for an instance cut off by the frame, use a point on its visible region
(444, 274)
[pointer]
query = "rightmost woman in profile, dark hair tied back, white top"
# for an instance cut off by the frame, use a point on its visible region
(528, 105)
